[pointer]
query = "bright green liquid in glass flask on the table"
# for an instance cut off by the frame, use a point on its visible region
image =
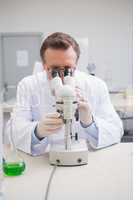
(13, 168)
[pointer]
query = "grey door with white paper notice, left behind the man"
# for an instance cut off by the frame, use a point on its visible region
(19, 53)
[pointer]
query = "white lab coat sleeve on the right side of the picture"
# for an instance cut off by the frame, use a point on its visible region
(107, 121)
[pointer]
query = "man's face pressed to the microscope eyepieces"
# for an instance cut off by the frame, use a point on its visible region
(59, 59)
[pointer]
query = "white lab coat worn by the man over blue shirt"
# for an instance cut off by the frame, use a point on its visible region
(34, 100)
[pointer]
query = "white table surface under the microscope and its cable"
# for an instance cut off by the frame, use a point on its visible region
(108, 176)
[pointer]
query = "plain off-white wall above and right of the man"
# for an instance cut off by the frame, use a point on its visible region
(107, 23)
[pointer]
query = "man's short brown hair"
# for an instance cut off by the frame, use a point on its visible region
(59, 40)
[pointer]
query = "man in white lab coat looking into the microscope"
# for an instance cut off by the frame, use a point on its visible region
(37, 125)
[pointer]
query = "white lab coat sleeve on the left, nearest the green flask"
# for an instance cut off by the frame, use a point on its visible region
(23, 122)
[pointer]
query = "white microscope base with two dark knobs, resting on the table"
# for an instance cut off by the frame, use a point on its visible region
(77, 155)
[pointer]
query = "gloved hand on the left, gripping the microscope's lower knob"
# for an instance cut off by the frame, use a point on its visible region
(49, 125)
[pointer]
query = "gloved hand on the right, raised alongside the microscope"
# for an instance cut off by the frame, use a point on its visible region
(84, 108)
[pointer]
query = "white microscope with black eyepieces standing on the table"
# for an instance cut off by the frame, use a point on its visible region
(73, 151)
